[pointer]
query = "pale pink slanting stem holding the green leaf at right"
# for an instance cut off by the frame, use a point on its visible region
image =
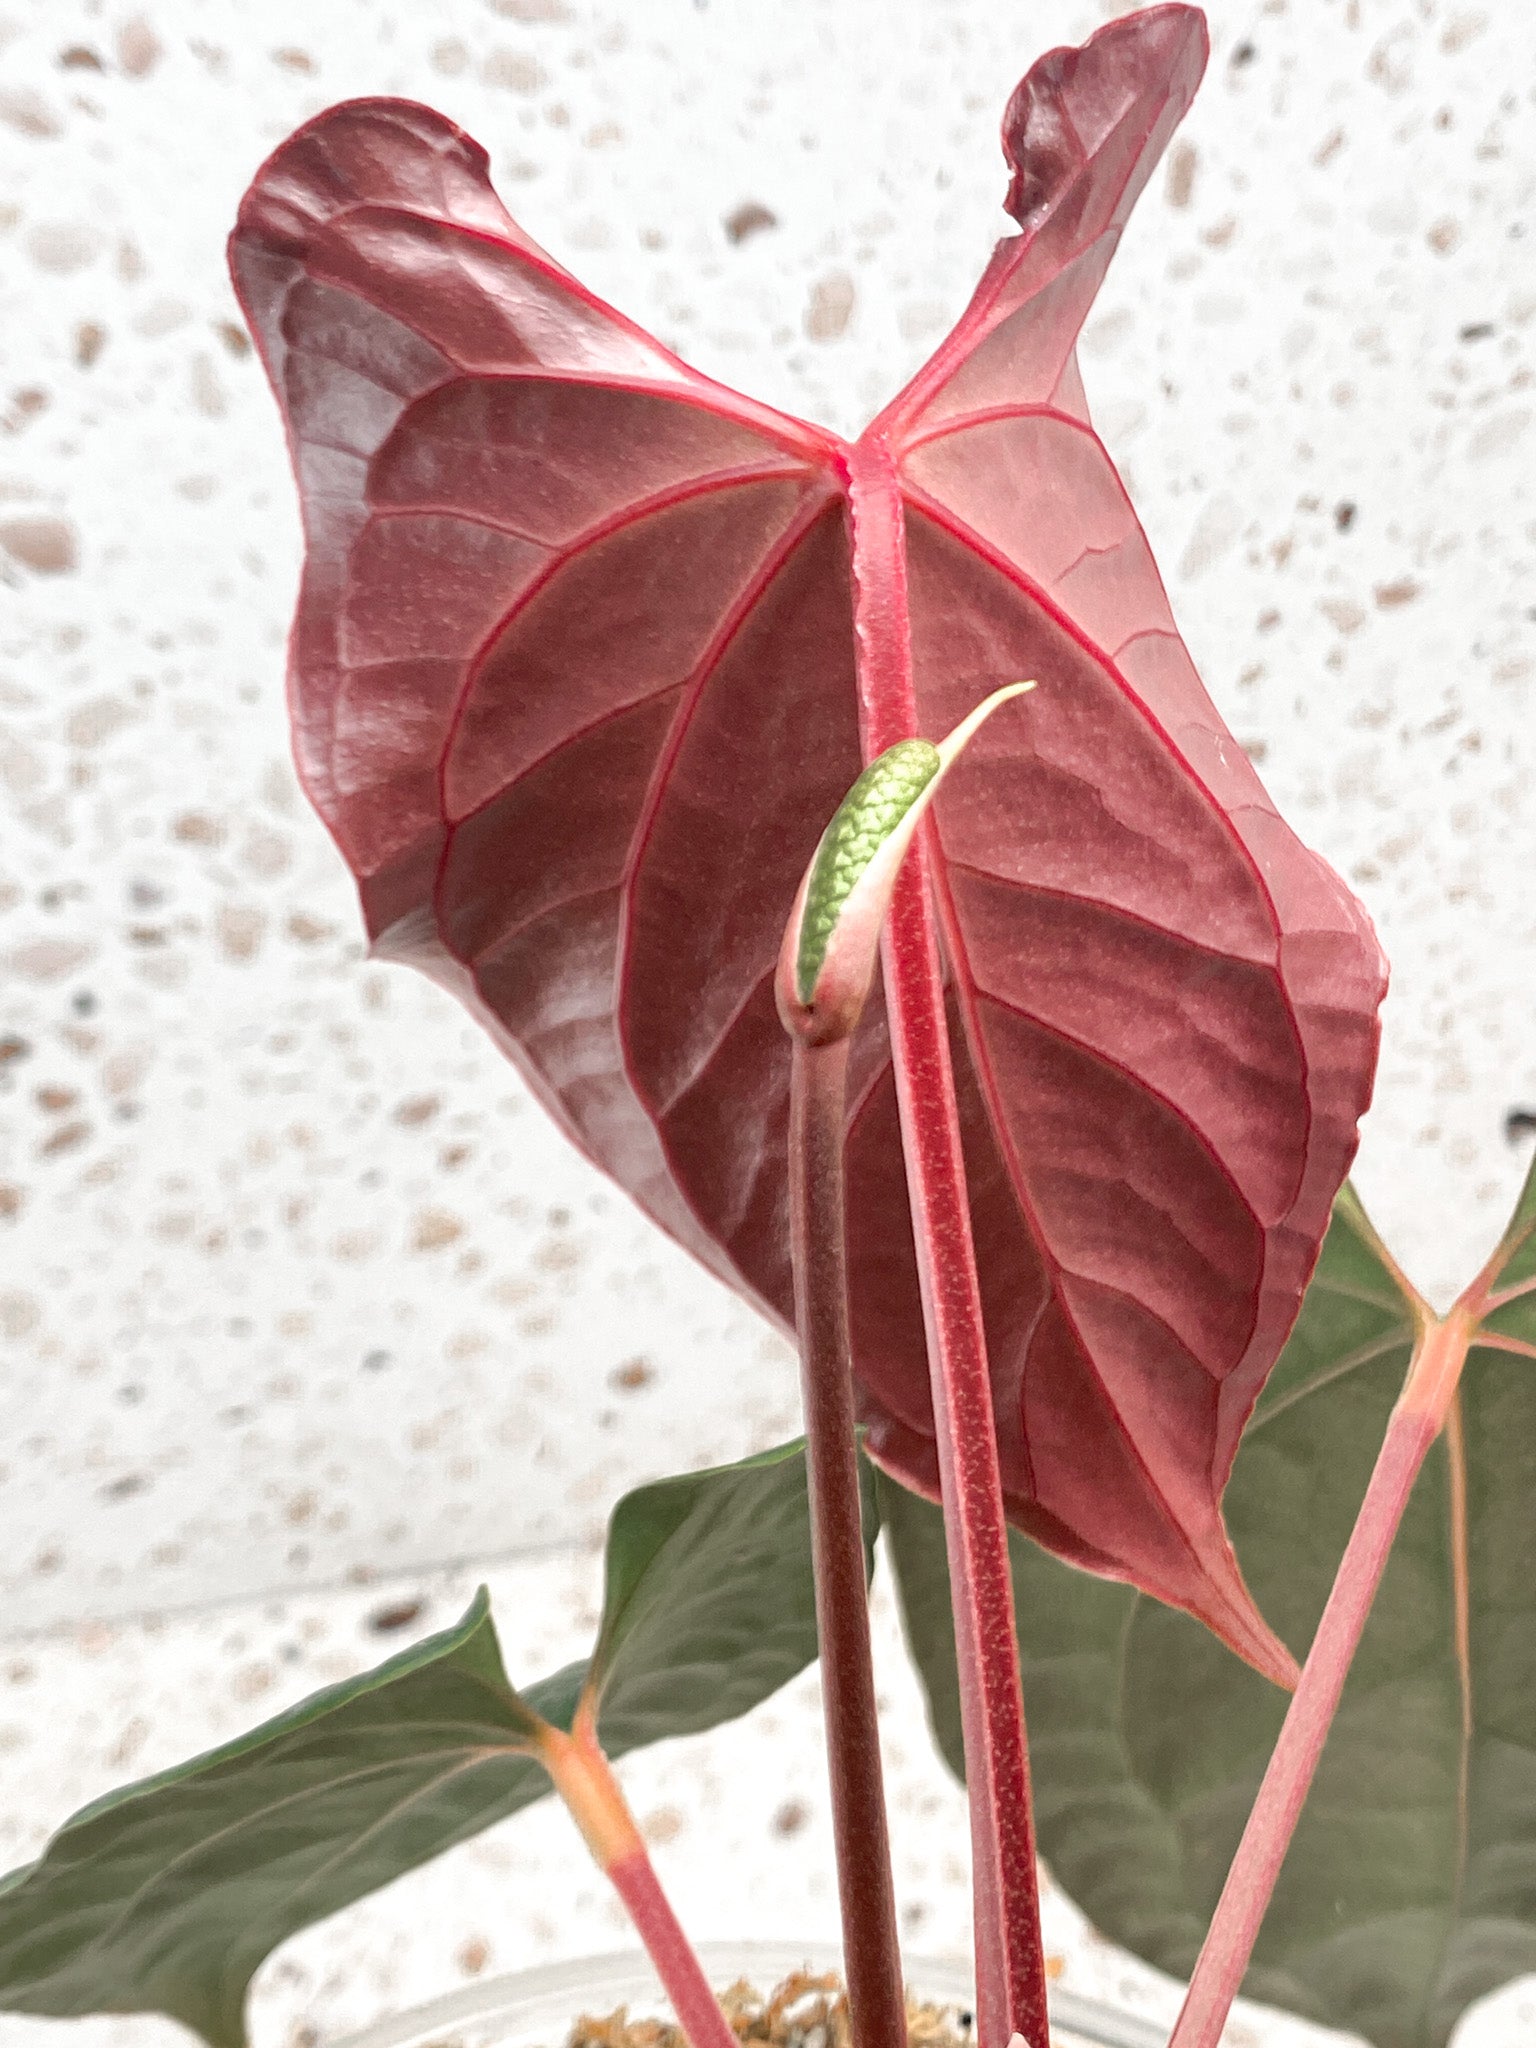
(1416, 1422)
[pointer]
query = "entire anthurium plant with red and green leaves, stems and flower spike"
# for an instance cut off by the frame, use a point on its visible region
(847, 853)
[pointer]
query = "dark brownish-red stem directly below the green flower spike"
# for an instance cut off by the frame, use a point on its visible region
(878, 2008)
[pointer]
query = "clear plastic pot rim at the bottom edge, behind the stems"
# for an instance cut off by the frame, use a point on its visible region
(536, 2008)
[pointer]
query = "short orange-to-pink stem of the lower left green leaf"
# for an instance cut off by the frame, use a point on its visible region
(589, 1787)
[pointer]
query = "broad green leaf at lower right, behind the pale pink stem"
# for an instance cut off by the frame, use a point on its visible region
(1412, 1881)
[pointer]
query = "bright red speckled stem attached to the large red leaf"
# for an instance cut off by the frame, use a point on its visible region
(1011, 1963)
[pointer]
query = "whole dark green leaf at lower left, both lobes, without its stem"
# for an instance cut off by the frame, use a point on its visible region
(167, 1895)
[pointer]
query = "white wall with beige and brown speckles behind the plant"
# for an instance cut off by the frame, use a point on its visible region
(296, 1283)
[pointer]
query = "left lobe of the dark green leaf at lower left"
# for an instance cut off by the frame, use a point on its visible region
(167, 1895)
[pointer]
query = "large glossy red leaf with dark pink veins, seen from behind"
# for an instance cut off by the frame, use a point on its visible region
(574, 689)
